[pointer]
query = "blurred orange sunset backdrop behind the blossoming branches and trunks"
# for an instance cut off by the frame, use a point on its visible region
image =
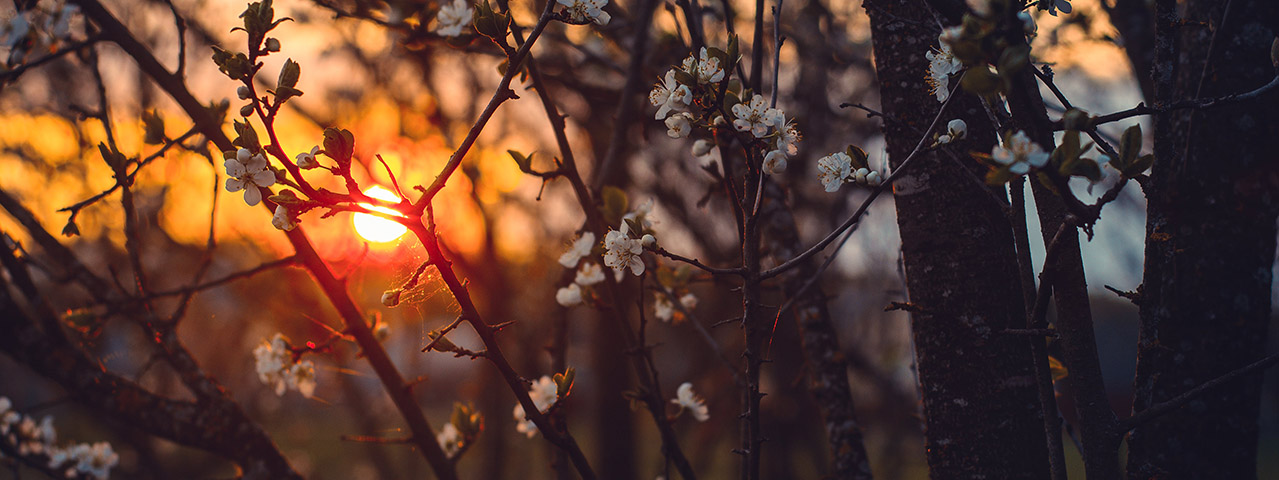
(411, 98)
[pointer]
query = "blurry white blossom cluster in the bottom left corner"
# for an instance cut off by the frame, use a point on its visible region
(30, 438)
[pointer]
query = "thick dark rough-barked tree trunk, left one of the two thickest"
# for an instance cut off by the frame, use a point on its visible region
(980, 401)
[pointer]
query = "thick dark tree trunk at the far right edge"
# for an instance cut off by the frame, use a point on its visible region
(1211, 241)
